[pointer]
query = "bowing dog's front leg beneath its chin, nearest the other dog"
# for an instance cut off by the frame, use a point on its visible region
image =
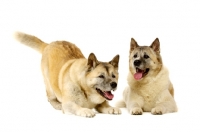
(106, 108)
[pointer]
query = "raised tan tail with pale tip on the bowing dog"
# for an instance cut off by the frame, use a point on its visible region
(30, 41)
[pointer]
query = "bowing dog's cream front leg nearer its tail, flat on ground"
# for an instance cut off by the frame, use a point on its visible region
(73, 108)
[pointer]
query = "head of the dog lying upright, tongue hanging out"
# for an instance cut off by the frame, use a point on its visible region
(144, 60)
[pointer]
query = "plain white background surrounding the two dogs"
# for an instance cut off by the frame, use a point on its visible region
(104, 27)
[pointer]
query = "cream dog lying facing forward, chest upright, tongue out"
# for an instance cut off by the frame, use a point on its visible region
(149, 87)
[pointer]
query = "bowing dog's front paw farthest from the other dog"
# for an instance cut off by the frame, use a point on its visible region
(85, 112)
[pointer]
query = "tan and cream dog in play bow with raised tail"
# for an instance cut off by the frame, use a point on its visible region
(75, 84)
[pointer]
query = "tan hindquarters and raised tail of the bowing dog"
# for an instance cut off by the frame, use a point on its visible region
(54, 56)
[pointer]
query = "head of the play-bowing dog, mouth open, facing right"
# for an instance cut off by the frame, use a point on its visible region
(103, 76)
